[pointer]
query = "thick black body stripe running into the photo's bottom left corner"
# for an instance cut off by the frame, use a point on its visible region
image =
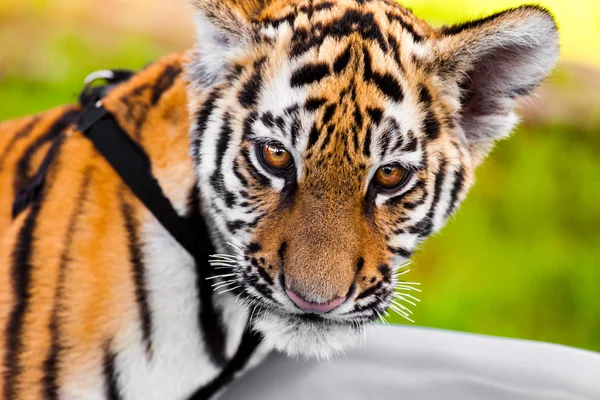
(20, 279)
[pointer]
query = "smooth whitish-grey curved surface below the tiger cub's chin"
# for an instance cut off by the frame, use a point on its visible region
(418, 364)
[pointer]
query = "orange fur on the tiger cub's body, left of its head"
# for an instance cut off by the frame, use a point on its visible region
(97, 290)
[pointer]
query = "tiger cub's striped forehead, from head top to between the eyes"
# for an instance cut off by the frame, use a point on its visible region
(338, 84)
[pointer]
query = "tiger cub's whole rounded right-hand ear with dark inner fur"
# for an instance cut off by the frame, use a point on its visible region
(493, 62)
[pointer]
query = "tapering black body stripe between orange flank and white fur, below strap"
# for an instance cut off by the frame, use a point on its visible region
(138, 272)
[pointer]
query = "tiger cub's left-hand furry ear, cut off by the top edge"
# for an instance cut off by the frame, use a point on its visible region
(224, 28)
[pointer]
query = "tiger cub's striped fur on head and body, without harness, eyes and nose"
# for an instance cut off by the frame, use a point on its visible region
(98, 301)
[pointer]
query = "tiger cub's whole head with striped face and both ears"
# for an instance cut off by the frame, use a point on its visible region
(331, 137)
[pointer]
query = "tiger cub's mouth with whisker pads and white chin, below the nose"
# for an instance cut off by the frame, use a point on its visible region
(295, 325)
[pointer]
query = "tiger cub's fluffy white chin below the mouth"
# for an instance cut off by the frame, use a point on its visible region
(307, 336)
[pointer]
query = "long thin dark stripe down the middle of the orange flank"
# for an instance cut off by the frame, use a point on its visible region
(51, 366)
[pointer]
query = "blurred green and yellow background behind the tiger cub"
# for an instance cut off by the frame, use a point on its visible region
(521, 259)
